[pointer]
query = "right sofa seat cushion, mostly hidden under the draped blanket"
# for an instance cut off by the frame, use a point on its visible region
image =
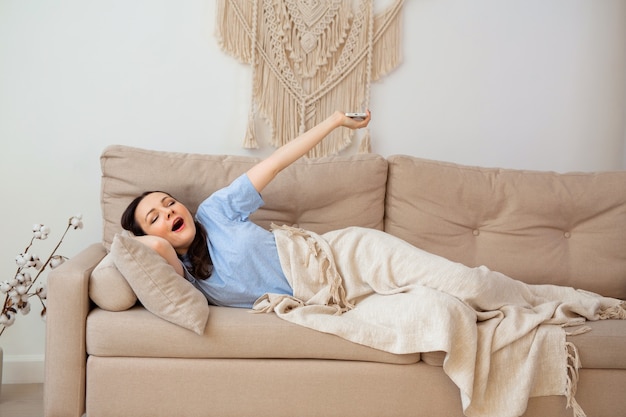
(604, 347)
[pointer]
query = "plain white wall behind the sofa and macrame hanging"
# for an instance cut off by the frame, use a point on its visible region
(531, 84)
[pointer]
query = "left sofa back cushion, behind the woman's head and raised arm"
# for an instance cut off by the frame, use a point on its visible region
(317, 194)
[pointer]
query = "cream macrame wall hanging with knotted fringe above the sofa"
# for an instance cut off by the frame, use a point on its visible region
(310, 58)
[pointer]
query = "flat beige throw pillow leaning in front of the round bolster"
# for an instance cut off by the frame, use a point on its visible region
(158, 287)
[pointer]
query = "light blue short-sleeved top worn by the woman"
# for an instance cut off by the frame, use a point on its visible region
(244, 255)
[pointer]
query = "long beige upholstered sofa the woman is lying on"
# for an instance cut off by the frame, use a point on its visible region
(539, 227)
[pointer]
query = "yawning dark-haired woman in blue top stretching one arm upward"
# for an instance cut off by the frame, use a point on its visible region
(229, 258)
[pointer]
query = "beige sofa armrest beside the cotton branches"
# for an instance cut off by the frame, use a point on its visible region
(67, 308)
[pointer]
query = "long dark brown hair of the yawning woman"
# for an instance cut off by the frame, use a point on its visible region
(198, 252)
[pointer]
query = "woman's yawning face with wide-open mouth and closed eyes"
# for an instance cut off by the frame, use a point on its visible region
(159, 214)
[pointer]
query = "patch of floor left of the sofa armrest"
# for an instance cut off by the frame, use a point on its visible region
(21, 400)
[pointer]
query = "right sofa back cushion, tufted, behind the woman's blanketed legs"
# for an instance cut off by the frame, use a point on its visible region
(539, 227)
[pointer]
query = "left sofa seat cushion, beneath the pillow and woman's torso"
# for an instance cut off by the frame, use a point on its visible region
(230, 333)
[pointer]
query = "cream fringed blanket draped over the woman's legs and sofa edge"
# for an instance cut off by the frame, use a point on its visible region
(504, 340)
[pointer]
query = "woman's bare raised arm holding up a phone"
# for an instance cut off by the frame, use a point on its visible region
(265, 171)
